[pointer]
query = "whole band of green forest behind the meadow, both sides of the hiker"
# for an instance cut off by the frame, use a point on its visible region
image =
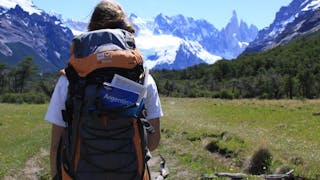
(289, 71)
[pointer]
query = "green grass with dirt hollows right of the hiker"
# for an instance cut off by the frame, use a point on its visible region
(289, 129)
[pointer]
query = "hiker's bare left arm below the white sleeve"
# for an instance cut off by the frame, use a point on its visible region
(56, 134)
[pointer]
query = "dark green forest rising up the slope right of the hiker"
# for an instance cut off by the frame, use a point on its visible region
(288, 71)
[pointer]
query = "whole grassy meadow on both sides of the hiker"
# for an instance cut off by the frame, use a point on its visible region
(199, 136)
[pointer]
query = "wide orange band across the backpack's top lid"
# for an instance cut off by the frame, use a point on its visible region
(127, 59)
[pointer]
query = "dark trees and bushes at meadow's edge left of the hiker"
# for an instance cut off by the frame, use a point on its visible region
(23, 83)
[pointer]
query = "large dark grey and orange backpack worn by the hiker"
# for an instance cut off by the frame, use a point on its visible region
(103, 141)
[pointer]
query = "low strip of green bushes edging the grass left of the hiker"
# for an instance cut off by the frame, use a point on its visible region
(19, 98)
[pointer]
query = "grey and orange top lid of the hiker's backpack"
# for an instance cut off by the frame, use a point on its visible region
(104, 48)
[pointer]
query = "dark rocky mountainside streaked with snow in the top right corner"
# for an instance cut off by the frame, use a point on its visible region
(298, 18)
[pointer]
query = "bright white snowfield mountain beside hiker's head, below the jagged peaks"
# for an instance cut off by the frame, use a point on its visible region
(167, 50)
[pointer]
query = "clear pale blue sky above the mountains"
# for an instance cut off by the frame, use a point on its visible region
(218, 12)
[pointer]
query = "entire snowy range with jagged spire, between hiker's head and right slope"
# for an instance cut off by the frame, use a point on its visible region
(177, 42)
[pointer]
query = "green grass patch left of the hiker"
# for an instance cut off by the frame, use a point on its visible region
(23, 133)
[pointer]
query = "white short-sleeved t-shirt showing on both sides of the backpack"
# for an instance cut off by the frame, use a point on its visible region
(57, 102)
